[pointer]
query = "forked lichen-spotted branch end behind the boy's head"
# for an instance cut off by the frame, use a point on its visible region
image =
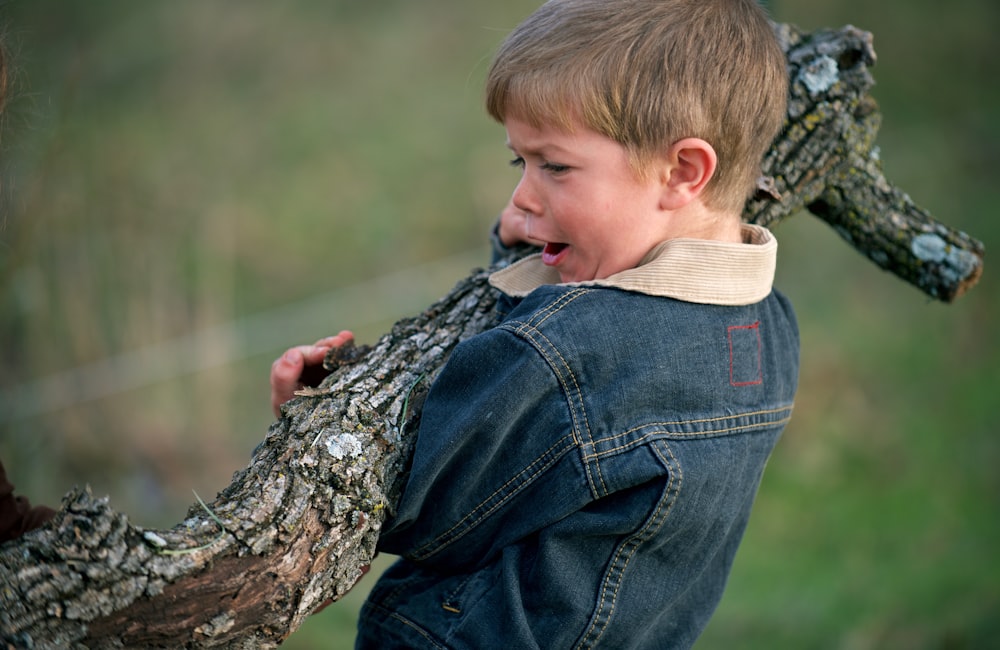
(826, 160)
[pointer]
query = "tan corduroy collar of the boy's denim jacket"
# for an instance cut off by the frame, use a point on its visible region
(692, 270)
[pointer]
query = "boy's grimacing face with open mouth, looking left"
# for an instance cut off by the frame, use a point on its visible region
(584, 201)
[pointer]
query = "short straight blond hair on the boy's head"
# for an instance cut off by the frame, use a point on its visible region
(647, 73)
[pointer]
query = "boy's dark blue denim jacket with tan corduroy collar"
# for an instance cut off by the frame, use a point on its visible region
(584, 471)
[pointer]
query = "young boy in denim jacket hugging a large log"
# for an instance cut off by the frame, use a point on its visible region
(584, 471)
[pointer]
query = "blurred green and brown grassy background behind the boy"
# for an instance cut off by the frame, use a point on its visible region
(190, 188)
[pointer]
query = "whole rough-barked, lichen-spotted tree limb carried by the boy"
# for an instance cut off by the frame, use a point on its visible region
(295, 528)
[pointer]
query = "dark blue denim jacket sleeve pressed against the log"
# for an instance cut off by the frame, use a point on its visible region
(496, 457)
